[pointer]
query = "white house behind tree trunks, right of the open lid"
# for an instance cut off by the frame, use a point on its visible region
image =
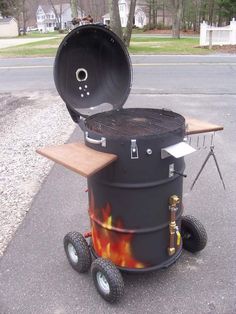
(141, 16)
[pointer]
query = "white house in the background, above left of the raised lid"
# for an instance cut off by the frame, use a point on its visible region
(47, 20)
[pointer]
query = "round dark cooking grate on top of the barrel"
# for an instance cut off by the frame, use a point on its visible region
(138, 121)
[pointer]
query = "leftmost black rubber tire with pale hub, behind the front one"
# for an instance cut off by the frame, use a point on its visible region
(82, 250)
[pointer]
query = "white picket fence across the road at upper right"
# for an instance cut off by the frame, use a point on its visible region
(211, 35)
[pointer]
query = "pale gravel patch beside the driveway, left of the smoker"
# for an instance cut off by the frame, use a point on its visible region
(27, 122)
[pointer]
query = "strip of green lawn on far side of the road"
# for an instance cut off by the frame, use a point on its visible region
(139, 45)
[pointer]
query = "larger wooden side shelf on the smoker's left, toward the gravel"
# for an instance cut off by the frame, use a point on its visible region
(78, 157)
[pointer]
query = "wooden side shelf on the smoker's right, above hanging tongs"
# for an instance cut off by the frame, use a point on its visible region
(195, 126)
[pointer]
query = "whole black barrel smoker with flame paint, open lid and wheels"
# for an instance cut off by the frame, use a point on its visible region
(135, 202)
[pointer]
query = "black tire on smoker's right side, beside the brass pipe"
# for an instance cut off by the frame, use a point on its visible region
(193, 233)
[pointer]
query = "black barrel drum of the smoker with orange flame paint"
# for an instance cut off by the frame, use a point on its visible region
(129, 200)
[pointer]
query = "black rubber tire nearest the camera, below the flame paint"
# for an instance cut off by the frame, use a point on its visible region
(112, 276)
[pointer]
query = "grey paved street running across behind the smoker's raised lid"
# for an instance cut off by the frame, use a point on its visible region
(152, 74)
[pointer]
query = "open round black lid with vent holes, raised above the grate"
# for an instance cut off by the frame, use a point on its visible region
(92, 70)
